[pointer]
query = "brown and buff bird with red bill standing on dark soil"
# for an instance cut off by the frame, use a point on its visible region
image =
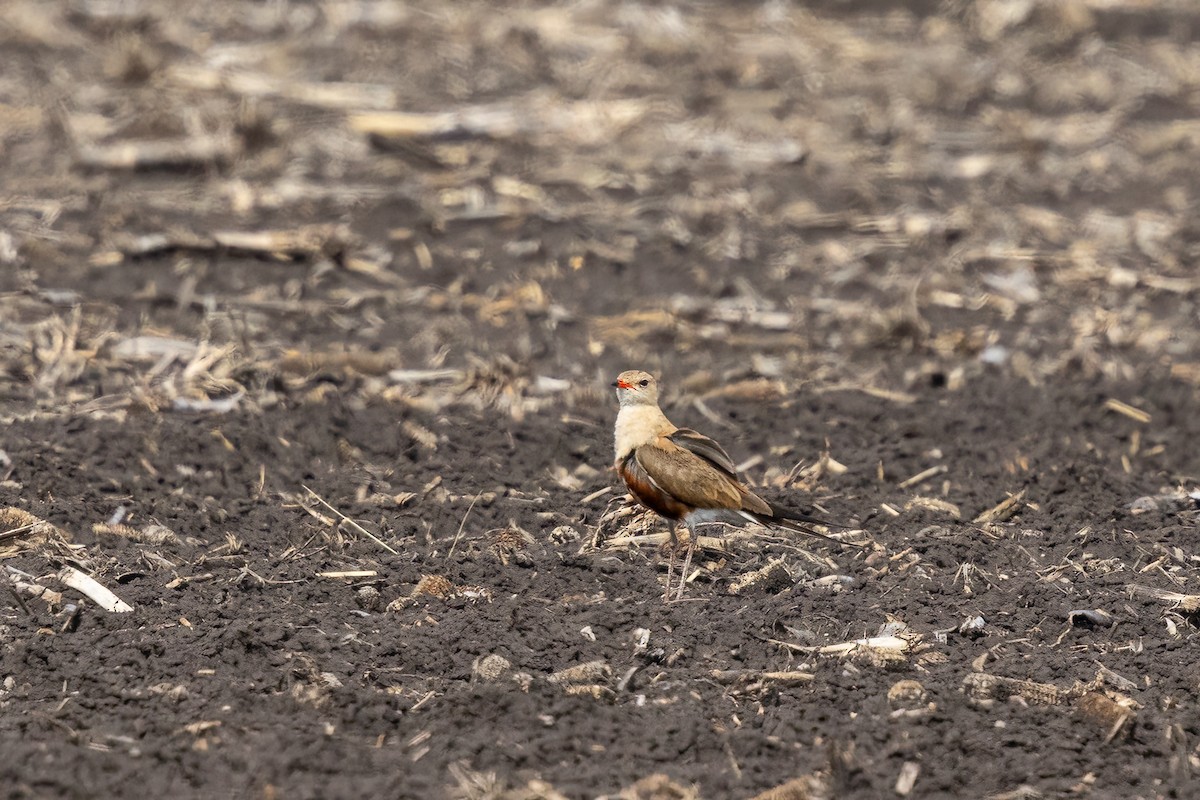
(685, 477)
